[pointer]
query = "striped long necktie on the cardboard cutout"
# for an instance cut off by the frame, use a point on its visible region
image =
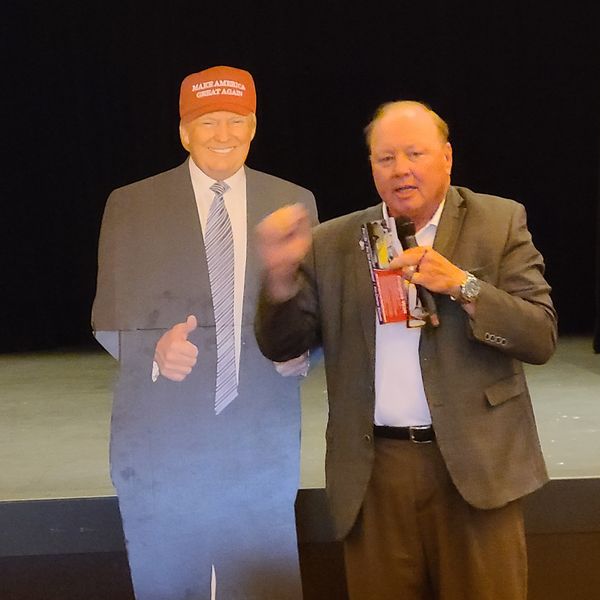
(220, 259)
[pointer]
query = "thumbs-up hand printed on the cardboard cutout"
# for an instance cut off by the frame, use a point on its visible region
(174, 354)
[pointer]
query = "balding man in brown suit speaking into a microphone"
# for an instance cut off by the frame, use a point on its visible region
(431, 435)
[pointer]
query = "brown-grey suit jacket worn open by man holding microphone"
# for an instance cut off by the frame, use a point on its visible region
(471, 368)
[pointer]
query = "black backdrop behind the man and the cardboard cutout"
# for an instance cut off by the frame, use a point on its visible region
(90, 102)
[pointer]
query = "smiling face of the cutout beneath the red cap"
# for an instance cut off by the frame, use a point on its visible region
(219, 142)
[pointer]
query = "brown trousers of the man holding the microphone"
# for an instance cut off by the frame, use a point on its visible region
(417, 539)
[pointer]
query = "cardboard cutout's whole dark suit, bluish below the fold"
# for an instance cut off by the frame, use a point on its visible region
(195, 489)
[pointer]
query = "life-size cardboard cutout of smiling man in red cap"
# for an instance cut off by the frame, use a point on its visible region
(205, 431)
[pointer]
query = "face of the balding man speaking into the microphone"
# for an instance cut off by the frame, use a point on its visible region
(410, 162)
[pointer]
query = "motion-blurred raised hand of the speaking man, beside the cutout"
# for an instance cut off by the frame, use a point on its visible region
(284, 238)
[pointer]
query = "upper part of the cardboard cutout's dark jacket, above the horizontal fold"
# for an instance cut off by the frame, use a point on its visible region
(149, 274)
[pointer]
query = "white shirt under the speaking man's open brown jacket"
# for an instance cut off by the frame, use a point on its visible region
(399, 392)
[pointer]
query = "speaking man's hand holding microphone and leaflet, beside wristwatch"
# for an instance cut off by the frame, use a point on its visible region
(424, 266)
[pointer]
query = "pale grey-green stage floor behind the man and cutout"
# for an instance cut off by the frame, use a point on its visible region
(55, 416)
